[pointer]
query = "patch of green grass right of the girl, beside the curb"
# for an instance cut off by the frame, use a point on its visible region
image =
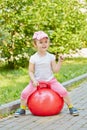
(72, 68)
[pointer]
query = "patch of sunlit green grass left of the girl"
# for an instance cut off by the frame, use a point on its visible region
(11, 84)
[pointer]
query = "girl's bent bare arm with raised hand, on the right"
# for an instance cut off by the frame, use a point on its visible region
(56, 66)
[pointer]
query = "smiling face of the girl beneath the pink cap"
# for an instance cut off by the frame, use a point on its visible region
(42, 45)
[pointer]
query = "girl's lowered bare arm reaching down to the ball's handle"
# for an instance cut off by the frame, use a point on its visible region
(31, 74)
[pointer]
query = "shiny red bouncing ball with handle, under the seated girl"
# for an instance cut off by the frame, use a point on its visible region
(45, 102)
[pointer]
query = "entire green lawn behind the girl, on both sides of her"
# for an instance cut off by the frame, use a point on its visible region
(12, 82)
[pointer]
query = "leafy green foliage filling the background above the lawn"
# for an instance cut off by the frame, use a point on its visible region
(62, 20)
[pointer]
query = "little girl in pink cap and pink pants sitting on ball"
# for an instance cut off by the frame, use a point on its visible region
(42, 65)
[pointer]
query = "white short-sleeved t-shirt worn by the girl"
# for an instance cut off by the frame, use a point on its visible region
(43, 69)
